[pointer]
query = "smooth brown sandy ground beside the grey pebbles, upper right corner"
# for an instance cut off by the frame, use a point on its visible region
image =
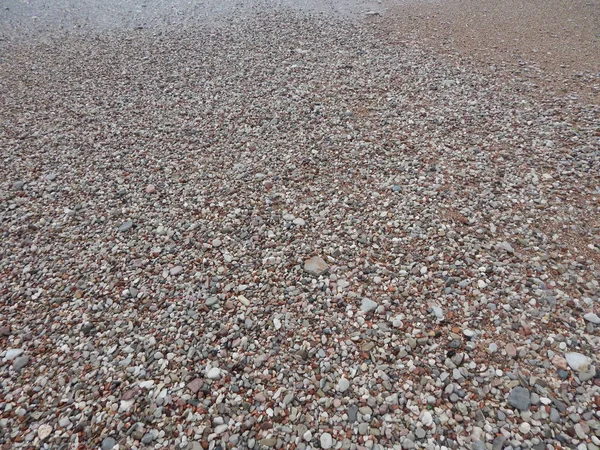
(554, 43)
